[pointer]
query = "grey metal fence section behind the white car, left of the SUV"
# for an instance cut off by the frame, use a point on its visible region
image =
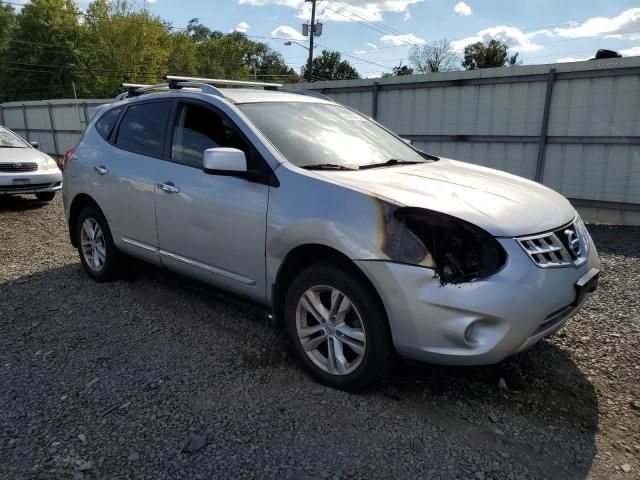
(56, 125)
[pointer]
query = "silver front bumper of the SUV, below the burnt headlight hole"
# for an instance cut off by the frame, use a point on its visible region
(481, 322)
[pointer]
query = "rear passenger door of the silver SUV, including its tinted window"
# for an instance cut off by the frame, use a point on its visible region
(124, 176)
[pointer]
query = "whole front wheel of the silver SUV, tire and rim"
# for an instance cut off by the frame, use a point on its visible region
(338, 327)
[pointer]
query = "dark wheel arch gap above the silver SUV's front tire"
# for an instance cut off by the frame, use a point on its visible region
(302, 257)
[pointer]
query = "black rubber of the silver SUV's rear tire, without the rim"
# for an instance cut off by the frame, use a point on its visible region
(109, 268)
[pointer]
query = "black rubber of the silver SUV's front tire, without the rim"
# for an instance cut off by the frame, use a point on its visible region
(379, 353)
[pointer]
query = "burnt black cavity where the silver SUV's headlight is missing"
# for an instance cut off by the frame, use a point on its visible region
(458, 250)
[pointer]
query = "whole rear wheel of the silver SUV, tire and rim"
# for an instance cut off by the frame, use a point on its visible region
(98, 253)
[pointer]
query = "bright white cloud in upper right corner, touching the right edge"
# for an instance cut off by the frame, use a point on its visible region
(625, 25)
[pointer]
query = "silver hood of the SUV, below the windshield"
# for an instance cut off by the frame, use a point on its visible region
(503, 204)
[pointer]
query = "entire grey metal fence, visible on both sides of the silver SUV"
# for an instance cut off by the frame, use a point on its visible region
(574, 127)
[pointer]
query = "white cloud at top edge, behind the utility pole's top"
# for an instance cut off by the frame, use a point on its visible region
(353, 11)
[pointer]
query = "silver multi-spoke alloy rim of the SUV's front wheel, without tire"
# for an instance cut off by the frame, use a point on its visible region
(330, 330)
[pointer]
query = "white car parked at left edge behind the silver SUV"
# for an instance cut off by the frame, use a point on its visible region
(26, 170)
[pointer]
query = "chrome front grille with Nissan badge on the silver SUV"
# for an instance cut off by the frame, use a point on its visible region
(564, 247)
